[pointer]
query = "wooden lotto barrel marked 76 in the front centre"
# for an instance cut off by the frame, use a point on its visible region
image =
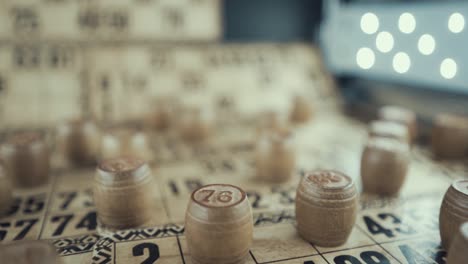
(218, 224)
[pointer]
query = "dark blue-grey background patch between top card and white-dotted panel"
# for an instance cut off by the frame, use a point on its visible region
(271, 20)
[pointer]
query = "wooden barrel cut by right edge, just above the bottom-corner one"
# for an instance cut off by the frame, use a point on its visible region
(453, 212)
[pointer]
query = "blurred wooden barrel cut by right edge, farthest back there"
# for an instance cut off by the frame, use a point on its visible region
(449, 137)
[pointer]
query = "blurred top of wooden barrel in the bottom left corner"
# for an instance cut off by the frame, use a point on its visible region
(28, 252)
